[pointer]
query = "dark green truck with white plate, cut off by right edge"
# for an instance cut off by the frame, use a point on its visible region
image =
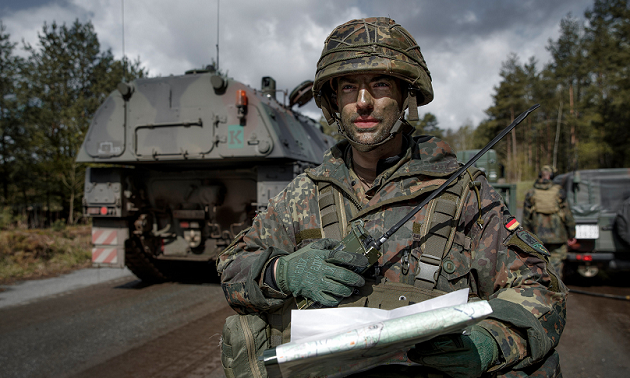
(595, 196)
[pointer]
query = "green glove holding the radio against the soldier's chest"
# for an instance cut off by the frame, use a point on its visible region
(318, 273)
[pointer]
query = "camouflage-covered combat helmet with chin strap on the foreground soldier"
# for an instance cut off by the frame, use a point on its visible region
(375, 45)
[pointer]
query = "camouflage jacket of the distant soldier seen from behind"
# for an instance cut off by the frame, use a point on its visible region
(554, 228)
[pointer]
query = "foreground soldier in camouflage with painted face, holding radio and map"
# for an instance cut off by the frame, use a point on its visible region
(370, 71)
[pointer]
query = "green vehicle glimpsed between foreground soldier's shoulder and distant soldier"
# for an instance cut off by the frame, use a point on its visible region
(495, 173)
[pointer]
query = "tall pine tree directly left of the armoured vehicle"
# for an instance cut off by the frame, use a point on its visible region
(69, 77)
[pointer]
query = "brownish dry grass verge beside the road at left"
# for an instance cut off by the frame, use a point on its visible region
(31, 254)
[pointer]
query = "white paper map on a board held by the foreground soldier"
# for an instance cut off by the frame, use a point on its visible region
(335, 342)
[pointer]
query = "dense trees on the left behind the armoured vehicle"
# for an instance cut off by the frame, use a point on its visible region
(48, 96)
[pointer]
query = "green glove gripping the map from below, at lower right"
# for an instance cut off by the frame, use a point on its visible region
(460, 356)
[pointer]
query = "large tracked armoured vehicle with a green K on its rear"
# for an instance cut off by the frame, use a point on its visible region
(181, 165)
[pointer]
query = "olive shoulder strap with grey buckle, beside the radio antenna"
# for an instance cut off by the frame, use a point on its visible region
(437, 233)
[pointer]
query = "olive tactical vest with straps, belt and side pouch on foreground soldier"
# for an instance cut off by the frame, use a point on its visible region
(246, 336)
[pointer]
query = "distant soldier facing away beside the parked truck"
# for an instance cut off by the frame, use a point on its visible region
(546, 213)
